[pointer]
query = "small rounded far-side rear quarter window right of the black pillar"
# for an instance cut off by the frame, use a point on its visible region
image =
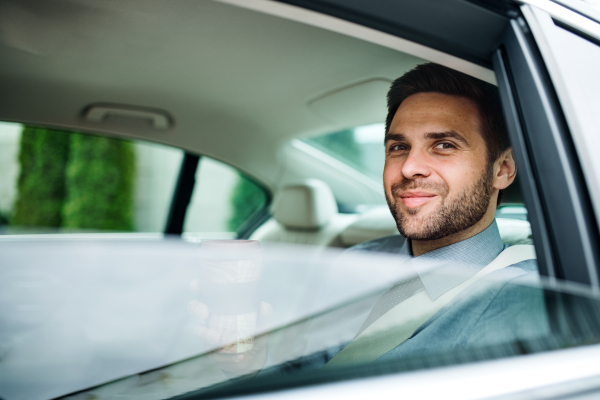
(222, 201)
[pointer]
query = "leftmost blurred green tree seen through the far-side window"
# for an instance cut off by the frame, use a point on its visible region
(41, 188)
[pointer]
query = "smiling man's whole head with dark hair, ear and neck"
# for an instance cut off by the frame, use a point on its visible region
(447, 156)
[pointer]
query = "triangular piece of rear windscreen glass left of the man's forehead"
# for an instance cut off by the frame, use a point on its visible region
(360, 147)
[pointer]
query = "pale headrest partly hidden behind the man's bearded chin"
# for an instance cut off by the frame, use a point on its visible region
(373, 224)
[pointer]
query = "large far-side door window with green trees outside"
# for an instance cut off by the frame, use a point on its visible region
(57, 181)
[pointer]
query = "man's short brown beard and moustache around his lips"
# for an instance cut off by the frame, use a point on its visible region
(452, 216)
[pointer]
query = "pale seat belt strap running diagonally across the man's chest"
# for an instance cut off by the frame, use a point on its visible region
(401, 322)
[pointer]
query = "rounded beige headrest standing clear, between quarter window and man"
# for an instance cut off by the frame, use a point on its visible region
(306, 204)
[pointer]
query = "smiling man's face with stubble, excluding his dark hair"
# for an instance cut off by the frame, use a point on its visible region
(436, 177)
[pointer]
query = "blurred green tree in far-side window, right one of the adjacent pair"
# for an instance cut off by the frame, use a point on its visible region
(99, 184)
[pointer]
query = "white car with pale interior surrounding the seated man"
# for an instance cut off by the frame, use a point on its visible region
(285, 99)
